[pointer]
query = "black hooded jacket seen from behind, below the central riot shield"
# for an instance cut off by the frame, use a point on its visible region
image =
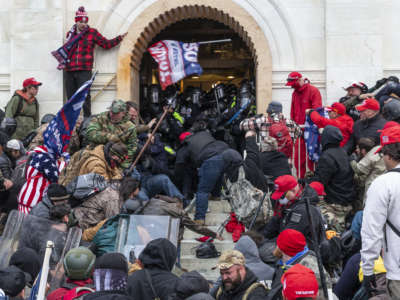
(158, 258)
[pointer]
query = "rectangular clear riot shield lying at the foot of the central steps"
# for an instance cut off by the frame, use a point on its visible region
(136, 231)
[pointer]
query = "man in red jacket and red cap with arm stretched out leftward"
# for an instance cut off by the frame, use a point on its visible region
(337, 118)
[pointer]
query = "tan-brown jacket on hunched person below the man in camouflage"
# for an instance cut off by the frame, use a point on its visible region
(96, 163)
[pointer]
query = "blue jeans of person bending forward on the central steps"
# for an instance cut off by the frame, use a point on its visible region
(210, 174)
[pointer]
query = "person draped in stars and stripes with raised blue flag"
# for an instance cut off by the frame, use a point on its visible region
(45, 164)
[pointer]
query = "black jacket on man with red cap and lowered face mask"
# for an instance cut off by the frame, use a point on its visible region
(296, 217)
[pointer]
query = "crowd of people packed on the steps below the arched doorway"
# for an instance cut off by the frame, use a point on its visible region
(328, 173)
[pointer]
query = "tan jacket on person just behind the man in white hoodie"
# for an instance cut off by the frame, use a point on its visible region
(368, 168)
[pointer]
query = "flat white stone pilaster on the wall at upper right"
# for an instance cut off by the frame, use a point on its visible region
(354, 39)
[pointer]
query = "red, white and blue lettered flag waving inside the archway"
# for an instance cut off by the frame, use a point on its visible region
(176, 60)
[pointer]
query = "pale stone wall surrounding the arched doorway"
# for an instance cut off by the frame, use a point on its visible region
(330, 41)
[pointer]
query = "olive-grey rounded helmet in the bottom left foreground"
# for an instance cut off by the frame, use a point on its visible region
(79, 263)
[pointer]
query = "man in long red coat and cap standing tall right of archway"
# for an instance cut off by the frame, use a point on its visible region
(304, 96)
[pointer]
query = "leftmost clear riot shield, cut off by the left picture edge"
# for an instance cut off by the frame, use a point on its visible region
(10, 237)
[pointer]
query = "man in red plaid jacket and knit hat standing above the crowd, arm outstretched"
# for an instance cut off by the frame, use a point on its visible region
(80, 62)
